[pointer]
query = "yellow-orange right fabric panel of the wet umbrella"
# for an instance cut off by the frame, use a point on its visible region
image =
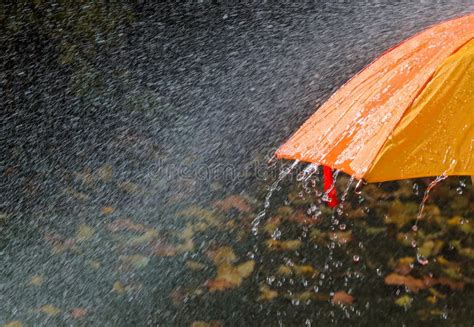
(436, 134)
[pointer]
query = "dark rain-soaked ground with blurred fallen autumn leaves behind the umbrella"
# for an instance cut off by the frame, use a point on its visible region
(136, 141)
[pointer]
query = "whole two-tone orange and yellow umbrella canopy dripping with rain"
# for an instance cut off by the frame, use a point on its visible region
(408, 114)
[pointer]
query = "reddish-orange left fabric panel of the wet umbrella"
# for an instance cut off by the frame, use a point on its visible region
(349, 130)
